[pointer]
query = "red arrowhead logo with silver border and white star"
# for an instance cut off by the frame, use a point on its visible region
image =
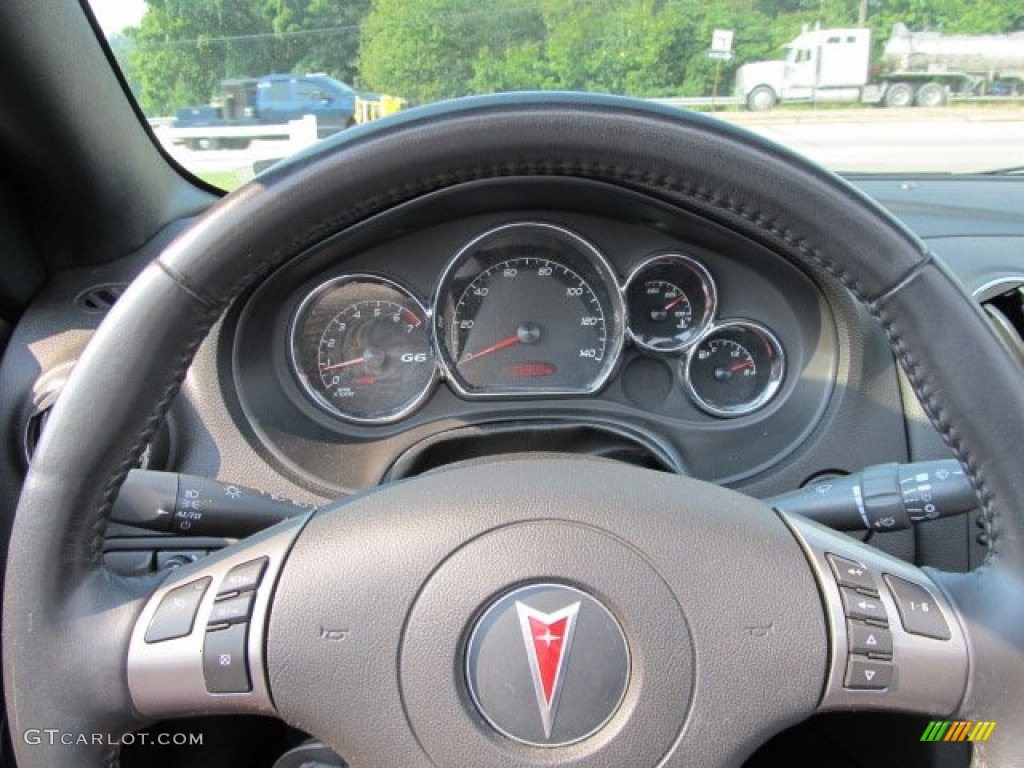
(548, 638)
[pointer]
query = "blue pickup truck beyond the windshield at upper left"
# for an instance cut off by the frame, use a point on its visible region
(272, 100)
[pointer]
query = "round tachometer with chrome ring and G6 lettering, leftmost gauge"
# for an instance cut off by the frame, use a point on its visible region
(362, 351)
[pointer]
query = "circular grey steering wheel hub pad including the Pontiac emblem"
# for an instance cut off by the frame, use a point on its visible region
(479, 676)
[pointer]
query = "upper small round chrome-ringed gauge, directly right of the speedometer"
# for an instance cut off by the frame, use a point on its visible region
(671, 302)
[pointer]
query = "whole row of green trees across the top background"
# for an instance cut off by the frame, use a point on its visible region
(431, 50)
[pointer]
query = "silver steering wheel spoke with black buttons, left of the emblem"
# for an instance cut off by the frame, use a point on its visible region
(198, 647)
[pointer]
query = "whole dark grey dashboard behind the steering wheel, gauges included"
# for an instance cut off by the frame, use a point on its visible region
(255, 410)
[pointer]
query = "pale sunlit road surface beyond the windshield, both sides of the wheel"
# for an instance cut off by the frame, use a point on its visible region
(954, 140)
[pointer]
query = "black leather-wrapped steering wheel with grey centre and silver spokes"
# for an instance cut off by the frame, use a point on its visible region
(554, 613)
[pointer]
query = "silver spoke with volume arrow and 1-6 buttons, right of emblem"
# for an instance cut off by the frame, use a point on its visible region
(897, 643)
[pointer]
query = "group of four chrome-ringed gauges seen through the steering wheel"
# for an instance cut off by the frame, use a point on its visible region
(526, 310)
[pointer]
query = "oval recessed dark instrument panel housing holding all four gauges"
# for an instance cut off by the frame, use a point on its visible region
(472, 324)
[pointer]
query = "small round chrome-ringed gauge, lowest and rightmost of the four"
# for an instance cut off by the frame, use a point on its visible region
(736, 369)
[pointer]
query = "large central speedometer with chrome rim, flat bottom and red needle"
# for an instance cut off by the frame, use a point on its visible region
(529, 309)
